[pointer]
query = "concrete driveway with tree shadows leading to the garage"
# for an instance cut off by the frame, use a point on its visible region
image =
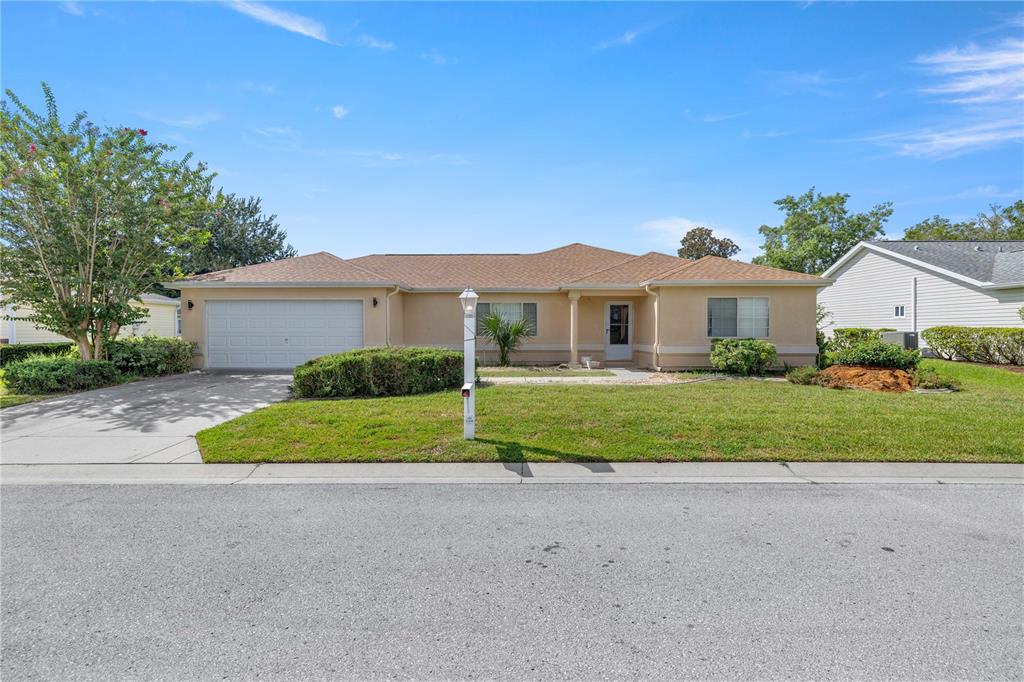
(148, 421)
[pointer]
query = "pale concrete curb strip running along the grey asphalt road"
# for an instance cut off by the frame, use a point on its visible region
(530, 474)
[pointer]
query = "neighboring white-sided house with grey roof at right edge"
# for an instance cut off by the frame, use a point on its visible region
(912, 286)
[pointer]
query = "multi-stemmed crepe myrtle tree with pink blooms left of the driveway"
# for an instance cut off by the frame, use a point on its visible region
(92, 220)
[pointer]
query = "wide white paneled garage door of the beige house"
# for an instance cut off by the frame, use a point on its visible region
(279, 334)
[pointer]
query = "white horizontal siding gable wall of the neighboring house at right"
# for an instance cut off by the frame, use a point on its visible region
(871, 285)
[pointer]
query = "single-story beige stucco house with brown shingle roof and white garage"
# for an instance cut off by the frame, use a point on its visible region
(652, 311)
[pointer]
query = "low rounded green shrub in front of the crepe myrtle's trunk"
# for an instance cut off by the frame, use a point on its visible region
(45, 374)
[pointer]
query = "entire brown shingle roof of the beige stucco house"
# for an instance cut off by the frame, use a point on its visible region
(575, 266)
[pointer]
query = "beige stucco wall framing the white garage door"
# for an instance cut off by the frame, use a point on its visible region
(193, 328)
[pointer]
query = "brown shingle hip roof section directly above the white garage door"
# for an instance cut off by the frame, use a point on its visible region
(321, 267)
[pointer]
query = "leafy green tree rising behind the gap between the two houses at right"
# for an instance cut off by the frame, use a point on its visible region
(818, 231)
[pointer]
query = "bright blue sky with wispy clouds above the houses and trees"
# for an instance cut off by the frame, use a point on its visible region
(459, 127)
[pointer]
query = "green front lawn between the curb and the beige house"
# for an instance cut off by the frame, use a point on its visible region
(710, 421)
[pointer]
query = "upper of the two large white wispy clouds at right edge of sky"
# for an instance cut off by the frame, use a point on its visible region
(978, 74)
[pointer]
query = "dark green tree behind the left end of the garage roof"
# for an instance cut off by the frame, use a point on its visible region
(240, 235)
